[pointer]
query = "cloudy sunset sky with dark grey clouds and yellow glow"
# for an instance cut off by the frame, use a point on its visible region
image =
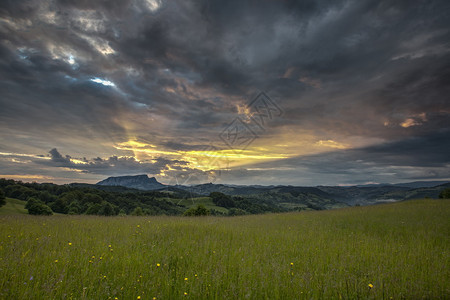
(264, 92)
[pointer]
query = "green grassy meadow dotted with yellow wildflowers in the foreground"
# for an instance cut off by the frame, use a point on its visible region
(396, 250)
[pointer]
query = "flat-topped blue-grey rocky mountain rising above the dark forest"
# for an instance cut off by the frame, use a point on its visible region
(140, 182)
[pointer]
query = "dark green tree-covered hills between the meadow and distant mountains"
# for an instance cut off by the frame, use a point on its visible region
(74, 199)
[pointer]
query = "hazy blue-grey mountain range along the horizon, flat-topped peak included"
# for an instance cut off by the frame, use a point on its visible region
(324, 197)
